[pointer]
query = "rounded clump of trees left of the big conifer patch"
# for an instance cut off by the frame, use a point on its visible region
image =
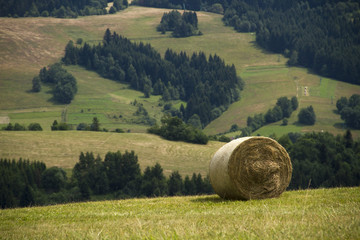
(64, 83)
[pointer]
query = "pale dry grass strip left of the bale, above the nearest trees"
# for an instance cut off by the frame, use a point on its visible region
(63, 149)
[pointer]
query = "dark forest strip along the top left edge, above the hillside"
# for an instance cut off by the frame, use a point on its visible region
(54, 8)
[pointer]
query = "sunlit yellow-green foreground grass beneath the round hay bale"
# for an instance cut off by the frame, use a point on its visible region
(310, 214)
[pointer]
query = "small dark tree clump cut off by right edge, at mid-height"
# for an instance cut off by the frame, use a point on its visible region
(349, 110)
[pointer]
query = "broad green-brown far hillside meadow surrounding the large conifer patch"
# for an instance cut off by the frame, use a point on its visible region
(30, 43)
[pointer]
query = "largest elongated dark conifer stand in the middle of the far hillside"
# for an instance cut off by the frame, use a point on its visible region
(208, 85)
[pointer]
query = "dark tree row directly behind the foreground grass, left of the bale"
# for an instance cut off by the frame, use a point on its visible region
(24, 183)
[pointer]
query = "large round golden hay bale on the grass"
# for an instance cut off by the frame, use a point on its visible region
(250, 168)
